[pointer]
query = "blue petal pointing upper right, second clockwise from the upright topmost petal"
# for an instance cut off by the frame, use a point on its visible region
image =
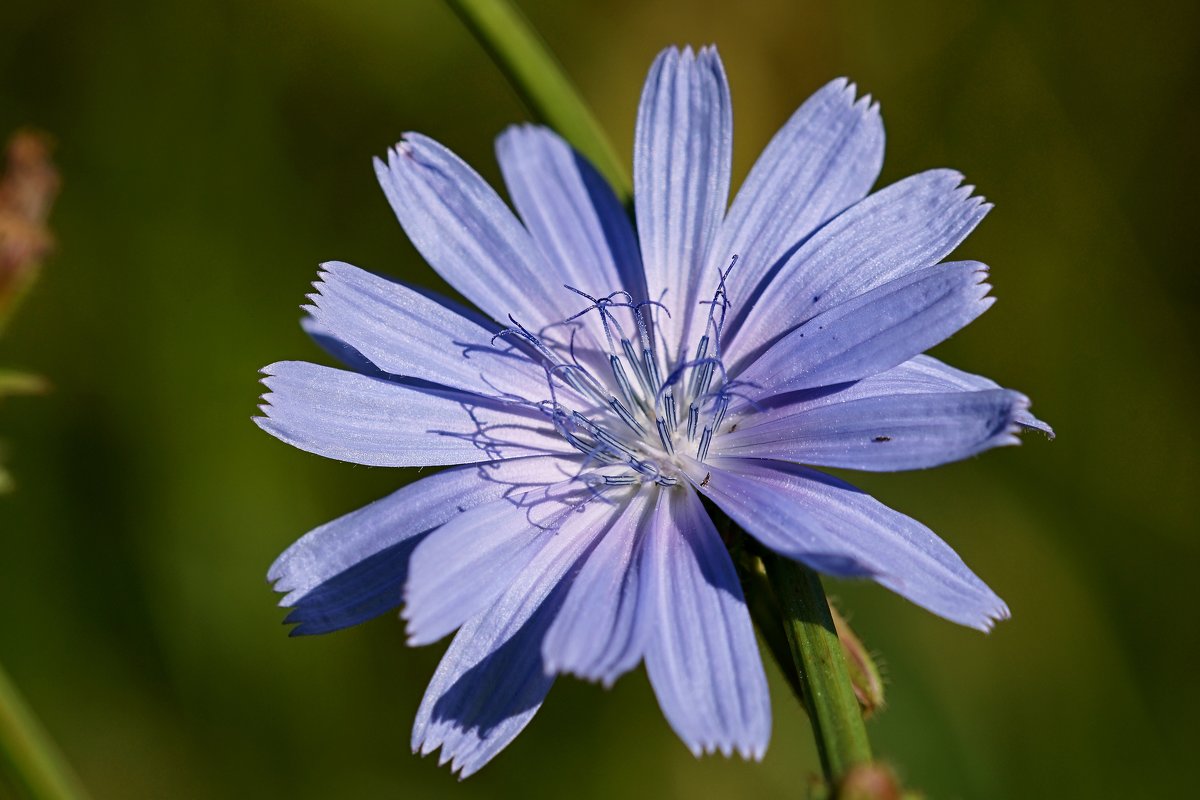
(909, 226)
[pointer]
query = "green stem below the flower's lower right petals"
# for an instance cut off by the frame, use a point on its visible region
(830, 697)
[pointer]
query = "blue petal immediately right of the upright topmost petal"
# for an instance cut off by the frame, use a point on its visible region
(825, 159)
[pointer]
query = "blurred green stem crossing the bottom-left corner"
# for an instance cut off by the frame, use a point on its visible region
(28, 754)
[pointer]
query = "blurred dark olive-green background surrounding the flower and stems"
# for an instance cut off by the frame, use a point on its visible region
(215, 153)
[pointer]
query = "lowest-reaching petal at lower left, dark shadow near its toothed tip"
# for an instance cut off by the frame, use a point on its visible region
(491, 681)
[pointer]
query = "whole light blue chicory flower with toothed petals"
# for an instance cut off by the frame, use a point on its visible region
(610, 380)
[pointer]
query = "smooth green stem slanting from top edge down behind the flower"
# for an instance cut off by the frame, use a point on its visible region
(542, 83)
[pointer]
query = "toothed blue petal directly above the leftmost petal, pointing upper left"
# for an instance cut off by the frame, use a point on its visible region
(405, 333)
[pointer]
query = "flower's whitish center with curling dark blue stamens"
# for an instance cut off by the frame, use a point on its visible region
(632, 402)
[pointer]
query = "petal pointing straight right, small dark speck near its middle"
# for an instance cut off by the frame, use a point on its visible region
(885, 434)
